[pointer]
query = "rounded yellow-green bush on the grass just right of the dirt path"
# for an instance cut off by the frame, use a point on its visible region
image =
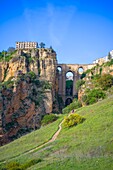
(72, 120)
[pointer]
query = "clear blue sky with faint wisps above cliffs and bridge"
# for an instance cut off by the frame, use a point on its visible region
(80, 31)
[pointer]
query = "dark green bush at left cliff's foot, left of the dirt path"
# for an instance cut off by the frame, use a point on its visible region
(48, 119)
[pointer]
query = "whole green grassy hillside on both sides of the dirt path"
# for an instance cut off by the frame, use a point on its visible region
(87, 146)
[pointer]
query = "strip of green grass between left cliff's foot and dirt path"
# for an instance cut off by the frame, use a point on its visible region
(28, 141)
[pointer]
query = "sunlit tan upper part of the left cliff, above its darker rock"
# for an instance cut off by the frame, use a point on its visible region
(41, 61)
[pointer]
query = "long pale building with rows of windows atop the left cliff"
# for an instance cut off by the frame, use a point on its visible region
(26, 45)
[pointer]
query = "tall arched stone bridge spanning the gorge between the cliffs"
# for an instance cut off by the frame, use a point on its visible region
(68, 94)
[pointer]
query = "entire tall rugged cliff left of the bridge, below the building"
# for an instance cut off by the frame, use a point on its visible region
(26, 97)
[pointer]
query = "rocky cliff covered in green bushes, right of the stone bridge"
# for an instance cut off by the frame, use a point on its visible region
(95, 83)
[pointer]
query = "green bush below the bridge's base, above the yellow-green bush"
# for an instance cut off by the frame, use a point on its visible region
(74, 105)
